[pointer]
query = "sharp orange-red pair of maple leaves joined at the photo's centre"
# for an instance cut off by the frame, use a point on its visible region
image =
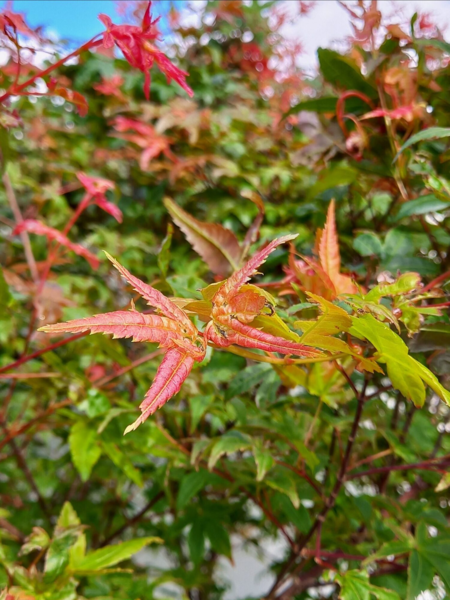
(234, 307)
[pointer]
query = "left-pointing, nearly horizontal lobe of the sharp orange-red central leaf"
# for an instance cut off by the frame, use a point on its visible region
(124, 324)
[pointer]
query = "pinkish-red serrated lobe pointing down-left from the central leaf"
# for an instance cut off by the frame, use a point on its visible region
(172, 372)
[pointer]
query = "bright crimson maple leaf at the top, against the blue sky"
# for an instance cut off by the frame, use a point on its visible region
(138, 47)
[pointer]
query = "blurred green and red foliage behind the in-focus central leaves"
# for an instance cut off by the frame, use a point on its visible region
(246, 455)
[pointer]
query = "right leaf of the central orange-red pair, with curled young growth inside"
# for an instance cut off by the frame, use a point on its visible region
(234, 306)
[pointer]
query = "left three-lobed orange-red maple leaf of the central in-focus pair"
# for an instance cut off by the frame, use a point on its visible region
(173, 331)
